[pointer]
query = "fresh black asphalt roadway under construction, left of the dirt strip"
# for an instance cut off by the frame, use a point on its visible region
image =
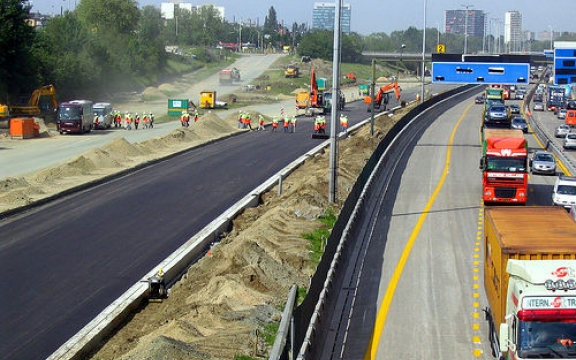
(64, 262)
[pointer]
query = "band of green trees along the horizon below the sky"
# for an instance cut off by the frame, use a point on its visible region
(113, 46)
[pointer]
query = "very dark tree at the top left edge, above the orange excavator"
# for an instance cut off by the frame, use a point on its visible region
(18, 75)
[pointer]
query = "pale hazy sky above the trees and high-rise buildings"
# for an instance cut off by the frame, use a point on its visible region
(371, 16)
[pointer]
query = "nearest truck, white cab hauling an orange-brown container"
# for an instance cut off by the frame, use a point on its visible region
(530, 282)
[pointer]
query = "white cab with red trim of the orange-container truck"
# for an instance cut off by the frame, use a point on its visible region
(541, 310)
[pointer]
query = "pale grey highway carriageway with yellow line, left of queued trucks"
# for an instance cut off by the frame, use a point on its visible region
(421, 293)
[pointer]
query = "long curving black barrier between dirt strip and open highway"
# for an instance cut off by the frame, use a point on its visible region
(313, 315)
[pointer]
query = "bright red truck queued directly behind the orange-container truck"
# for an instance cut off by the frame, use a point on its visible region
(504, 164)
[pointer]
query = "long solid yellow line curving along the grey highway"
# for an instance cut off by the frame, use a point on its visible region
(386, 302)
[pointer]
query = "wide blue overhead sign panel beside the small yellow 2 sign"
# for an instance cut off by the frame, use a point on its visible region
(480, 73)
